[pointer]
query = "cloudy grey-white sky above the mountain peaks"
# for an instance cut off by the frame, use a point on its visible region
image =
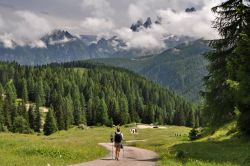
(26, 21)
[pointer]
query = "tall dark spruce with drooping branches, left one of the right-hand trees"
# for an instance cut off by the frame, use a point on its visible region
(230, 22)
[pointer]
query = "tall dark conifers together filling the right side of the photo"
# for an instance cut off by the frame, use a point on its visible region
(228, 83)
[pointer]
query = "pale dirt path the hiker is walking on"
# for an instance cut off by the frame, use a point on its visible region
(132, 157)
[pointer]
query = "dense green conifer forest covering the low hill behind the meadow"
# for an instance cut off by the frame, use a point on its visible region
(85, 93)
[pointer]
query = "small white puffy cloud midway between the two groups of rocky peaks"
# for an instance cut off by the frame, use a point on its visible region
(98, 26)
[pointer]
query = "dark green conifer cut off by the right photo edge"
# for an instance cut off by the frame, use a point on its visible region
(243, 78)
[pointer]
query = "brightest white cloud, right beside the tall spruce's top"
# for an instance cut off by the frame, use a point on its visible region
(196, 24)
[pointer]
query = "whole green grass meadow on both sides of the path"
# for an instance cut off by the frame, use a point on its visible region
(76, 145)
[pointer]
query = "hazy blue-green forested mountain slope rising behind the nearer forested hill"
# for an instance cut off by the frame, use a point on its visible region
(180, 69)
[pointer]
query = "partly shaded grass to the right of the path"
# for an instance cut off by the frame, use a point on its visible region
(223, 148)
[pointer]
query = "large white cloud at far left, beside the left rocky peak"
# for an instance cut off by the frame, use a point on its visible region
(24, 28)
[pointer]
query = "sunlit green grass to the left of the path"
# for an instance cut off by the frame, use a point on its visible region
(62, 148)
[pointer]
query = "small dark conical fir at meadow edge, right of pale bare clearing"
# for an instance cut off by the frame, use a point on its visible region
(50, 123)
